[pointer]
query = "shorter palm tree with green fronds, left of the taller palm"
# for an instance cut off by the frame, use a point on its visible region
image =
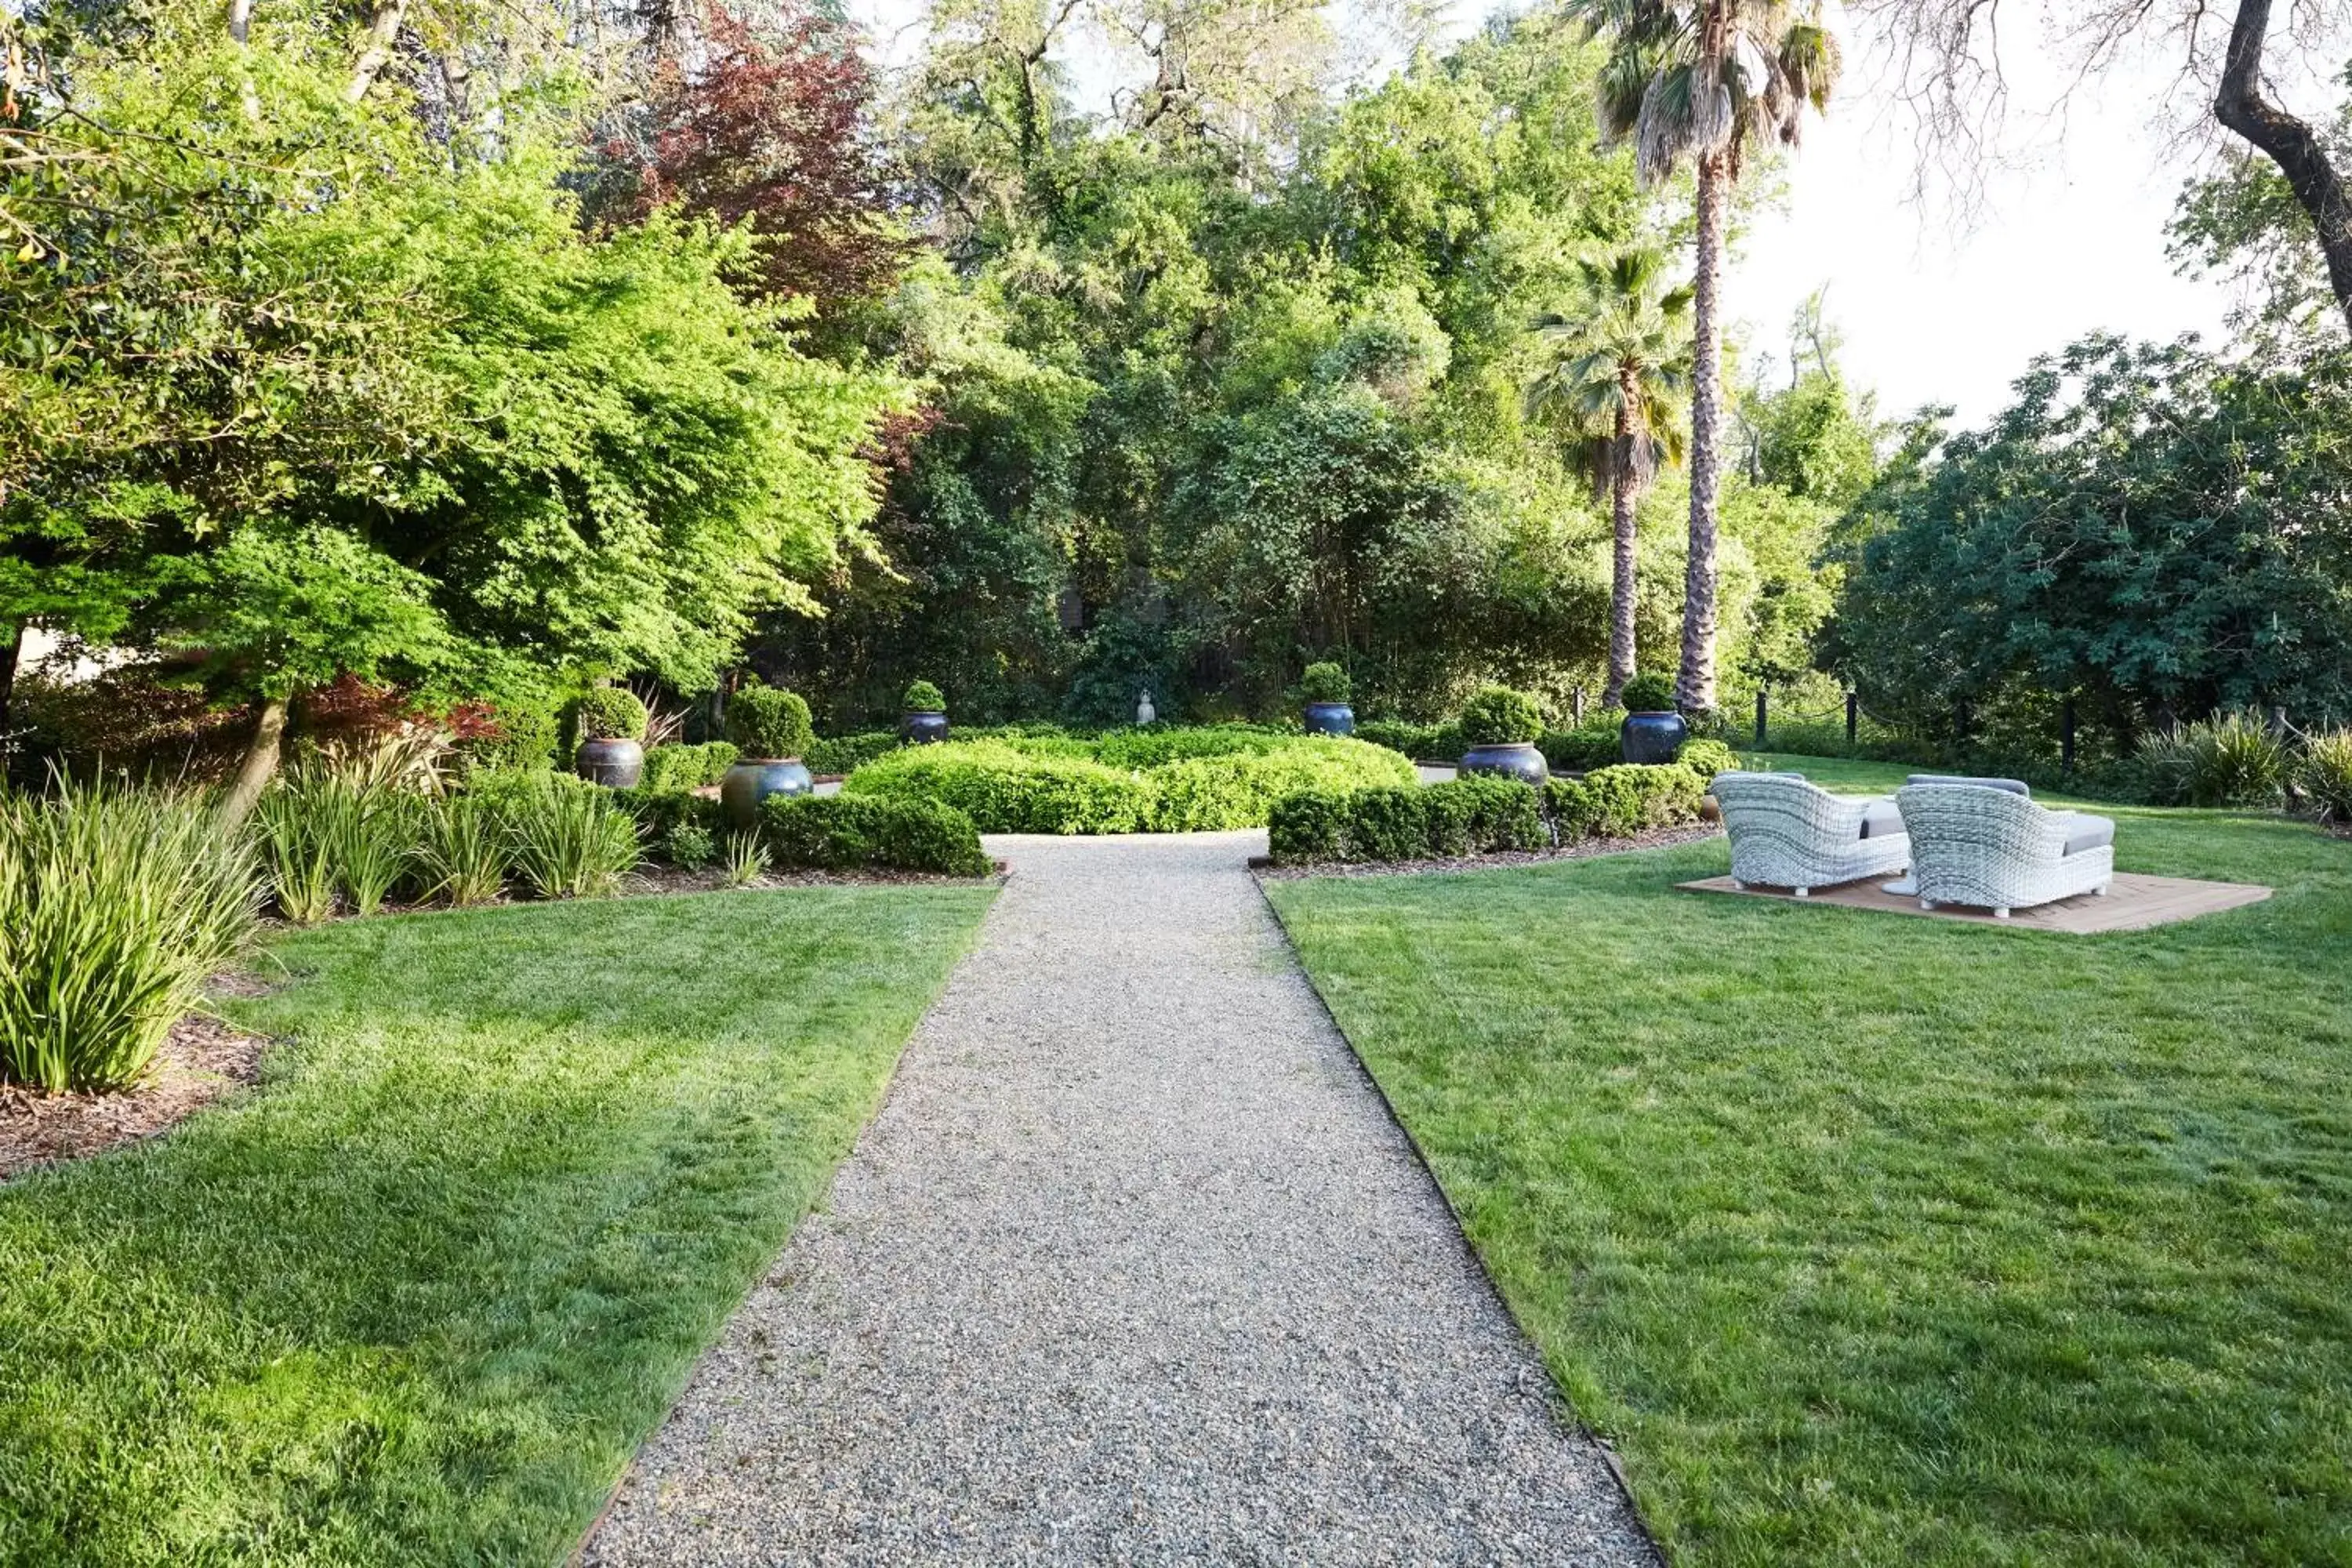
(1617, 375)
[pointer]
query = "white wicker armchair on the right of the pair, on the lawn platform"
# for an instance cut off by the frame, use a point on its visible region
(2003, 852)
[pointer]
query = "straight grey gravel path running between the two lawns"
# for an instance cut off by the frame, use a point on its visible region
(1132, 1268)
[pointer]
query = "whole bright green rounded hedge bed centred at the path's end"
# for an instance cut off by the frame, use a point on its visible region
(1130, 782)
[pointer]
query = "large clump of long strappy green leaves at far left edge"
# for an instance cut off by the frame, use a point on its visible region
(114, 911)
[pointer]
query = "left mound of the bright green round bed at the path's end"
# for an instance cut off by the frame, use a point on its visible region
(1008, 791)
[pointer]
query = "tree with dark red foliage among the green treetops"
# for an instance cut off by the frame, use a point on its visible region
(770, 126)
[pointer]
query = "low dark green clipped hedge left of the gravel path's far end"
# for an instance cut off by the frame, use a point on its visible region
(831, 833)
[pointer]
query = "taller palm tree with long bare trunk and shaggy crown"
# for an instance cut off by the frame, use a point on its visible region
(1709, 83)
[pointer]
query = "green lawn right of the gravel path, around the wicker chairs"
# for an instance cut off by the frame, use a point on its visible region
(1883, 1240)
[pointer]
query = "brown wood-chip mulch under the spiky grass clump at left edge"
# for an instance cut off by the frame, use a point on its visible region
(201, 1061)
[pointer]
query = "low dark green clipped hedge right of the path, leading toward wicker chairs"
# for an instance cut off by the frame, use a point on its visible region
(1474, 817)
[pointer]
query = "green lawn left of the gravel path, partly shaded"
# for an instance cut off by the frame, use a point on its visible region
(417, 1299)
